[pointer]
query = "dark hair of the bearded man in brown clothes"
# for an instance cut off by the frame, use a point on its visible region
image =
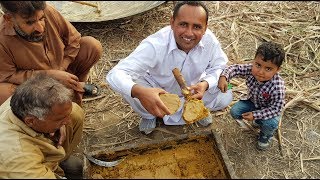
(25, 9)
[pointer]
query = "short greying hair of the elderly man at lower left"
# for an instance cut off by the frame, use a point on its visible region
(38, 95)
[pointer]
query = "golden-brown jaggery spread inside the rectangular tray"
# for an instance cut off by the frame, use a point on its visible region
(194, 159)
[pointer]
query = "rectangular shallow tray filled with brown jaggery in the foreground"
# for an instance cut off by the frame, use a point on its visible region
(196, 155)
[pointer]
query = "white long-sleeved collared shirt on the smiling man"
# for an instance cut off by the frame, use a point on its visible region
(156, 57)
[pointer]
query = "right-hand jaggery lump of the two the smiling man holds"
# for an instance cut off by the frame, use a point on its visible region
(194, 110)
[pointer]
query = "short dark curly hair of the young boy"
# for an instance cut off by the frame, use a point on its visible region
(271, 52)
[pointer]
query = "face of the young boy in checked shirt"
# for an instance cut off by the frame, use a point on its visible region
(263, 70)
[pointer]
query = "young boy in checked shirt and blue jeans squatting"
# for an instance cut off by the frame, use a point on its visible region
(266, 91)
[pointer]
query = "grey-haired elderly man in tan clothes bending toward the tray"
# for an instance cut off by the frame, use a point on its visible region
(39, 128)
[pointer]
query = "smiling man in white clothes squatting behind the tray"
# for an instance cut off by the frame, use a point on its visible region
(186, 44)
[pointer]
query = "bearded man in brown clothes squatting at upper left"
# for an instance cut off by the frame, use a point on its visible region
(34, 38)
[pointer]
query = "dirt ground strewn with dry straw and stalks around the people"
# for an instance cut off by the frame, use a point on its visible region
(240, 27)
